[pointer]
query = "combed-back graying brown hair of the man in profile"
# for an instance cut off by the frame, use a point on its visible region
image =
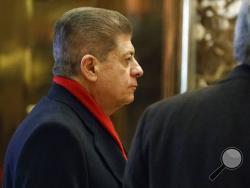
(85, 30)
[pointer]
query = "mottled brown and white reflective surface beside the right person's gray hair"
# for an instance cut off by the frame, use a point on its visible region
(213, 32)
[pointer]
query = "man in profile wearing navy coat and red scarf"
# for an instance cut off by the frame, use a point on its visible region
(68, 140)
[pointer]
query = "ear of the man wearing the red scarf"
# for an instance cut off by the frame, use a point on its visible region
(88, 64)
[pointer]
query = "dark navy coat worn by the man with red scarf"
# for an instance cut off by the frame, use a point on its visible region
(60, 144)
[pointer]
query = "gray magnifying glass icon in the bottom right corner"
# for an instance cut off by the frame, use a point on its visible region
(231, 159)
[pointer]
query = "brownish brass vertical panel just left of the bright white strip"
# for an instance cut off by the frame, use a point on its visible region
(172, 46)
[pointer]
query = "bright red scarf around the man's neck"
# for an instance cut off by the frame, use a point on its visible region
(85, 99)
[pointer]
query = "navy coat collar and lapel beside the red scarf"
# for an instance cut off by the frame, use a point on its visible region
(103, 142)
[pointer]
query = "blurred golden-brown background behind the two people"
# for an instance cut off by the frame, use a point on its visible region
(181, 45)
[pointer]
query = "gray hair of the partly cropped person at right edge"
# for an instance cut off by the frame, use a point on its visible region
(242, 34)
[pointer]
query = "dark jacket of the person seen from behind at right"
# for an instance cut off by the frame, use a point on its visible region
(180, 140)
